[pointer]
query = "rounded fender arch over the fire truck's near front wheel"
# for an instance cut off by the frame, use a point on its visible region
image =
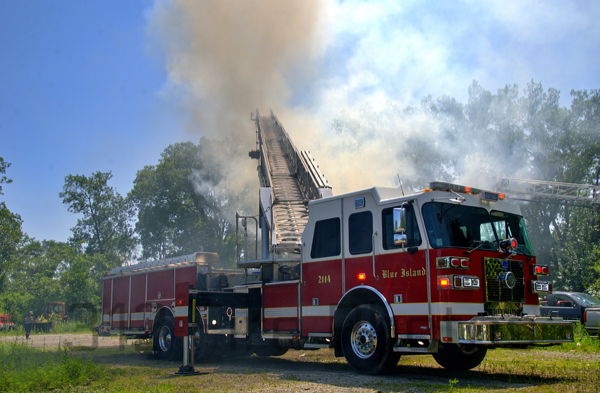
(361, 294)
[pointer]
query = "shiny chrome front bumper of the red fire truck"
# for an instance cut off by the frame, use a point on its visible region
(508, 330)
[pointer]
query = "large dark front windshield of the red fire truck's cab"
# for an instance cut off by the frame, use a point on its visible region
(450, 225)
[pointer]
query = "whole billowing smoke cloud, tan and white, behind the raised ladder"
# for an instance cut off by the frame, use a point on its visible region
(230, 57)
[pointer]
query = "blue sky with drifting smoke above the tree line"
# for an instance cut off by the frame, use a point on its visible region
(107, 85)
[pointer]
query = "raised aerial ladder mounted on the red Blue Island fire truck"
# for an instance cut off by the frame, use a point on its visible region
(289, 179)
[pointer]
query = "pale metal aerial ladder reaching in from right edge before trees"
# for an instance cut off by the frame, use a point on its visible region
(567, 193)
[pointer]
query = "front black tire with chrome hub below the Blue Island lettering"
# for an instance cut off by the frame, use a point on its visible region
(366, 341)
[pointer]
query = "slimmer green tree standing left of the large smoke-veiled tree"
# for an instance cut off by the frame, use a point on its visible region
(106, 224)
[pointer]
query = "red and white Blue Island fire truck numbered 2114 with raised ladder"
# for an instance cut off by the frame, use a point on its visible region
(373, 274)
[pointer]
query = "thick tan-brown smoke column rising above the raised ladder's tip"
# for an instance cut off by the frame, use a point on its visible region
(231, 57)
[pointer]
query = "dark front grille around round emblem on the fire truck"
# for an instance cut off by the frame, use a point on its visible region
(499, 299)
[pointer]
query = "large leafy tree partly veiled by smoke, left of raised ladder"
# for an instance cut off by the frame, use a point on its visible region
(184, 204)
